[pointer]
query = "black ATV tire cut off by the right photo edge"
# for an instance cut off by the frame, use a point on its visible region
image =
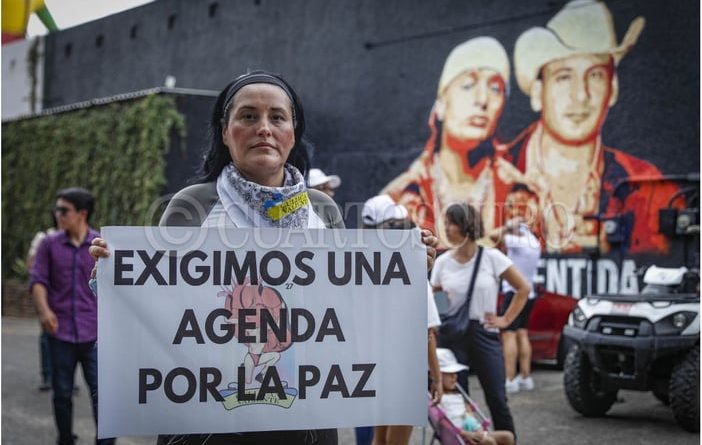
(685, 391)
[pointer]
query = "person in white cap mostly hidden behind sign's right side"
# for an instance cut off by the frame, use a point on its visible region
(382, 213)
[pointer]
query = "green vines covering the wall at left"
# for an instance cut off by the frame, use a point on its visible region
(117, 151)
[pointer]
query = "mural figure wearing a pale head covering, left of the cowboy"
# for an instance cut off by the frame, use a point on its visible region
(456, 164)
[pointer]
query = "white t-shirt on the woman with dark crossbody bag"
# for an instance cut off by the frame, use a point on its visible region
(454, 277)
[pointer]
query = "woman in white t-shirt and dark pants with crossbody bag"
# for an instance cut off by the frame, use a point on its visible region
(470, 275)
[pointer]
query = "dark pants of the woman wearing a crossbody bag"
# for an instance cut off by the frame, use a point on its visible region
(481, 350)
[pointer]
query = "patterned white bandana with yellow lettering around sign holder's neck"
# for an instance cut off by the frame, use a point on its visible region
(260, 206)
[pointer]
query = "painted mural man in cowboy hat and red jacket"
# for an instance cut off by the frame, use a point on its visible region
(569, 71)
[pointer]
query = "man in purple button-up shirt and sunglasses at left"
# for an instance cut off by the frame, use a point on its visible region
(67, 308)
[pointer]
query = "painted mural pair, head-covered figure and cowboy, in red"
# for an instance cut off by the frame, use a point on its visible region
(568, 69)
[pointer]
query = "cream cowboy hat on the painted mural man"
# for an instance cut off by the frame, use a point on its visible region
(581, 27)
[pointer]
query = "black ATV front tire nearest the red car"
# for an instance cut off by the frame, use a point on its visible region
(582, 386)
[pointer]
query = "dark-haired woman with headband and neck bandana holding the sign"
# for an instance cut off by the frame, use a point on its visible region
(254, 176)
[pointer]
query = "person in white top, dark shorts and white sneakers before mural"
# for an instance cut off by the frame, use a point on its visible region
(524, 249)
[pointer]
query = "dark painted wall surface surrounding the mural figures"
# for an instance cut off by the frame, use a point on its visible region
(367, 70)
